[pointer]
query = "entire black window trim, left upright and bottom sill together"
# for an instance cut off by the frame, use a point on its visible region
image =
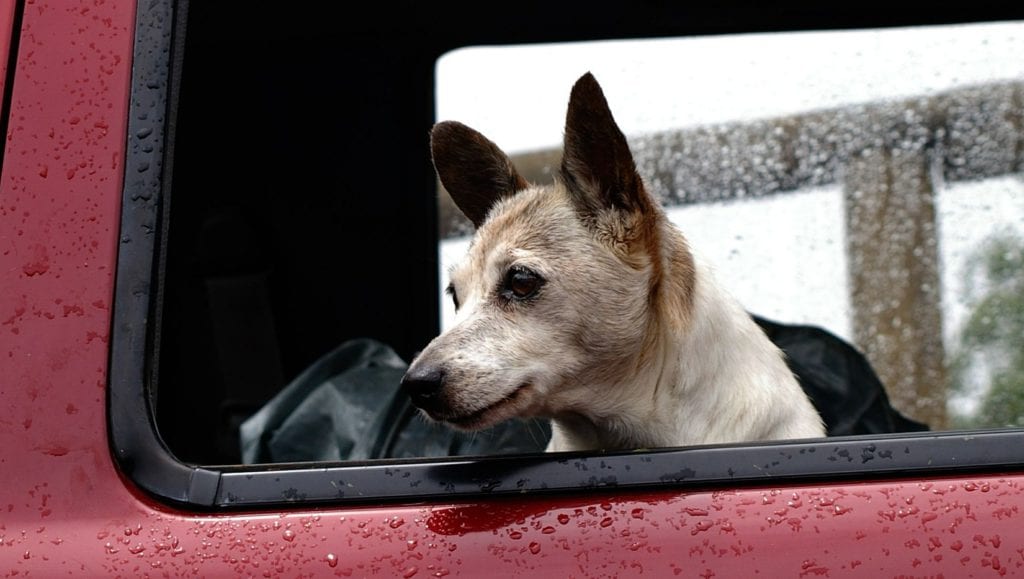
(146, 461)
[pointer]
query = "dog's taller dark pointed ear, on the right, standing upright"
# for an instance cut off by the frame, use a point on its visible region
(598, 167)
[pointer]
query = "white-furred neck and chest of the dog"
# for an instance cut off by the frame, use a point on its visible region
(708, 382)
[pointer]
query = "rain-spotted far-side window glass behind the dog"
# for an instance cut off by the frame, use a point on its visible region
(869, 183)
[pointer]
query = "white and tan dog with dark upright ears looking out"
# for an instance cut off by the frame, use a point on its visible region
(582, 304)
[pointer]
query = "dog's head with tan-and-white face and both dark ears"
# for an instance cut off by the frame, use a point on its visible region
(556, 298)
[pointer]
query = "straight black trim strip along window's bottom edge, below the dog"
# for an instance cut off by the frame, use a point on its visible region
(820, 462)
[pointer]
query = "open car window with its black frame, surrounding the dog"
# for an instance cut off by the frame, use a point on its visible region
(284, 261)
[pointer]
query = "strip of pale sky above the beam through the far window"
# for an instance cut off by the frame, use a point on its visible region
(517, 96)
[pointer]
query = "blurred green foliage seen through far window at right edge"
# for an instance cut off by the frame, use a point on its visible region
(993, 341)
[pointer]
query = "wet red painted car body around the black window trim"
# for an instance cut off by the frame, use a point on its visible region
(68, 509)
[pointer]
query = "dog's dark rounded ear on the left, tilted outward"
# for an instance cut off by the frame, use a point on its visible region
(476, 173)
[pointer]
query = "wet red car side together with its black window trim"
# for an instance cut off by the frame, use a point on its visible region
(88, 489)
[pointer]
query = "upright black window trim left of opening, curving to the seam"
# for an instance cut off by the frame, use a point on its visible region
(135, 437)
